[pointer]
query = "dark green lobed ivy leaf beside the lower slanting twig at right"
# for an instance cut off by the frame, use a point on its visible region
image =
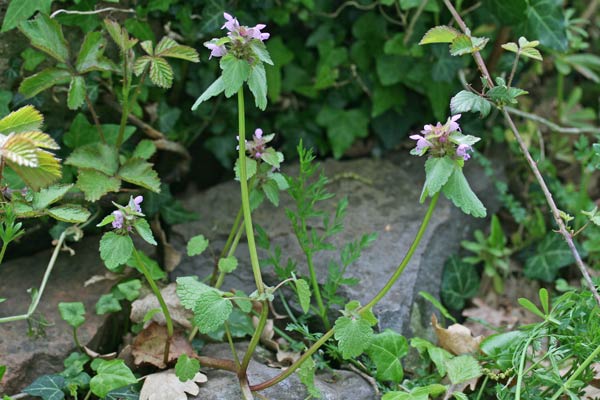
(551, 255)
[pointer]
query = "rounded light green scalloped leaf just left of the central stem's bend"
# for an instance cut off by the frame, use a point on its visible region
(211, 311)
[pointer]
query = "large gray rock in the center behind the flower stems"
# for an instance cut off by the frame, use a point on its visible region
(389, 206)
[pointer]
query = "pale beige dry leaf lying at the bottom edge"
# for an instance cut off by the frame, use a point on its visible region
(166, 385)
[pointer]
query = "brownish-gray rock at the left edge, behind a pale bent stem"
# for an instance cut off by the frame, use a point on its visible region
(27, 358)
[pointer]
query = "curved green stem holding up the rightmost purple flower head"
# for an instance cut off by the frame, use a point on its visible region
(275, 380)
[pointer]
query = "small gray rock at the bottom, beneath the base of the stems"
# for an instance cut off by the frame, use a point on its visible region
(223, 385)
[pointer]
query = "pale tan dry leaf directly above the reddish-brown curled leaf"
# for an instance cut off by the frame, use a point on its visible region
(179, 315)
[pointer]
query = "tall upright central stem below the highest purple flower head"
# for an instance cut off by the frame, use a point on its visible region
(247, 215)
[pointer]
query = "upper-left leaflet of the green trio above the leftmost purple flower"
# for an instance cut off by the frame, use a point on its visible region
(97, 156)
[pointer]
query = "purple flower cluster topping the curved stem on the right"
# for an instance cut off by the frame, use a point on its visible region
(441, 140)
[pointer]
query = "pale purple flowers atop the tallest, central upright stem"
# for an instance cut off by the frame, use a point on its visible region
(239, 36)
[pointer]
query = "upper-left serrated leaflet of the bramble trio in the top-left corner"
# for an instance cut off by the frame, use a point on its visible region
(46, 34)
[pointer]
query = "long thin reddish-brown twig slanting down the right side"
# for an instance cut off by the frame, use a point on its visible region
(562, 229)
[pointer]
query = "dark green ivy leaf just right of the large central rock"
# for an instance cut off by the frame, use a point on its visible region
(460, 282)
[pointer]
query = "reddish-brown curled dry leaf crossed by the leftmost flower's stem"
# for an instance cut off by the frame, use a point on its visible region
(149, 345)
